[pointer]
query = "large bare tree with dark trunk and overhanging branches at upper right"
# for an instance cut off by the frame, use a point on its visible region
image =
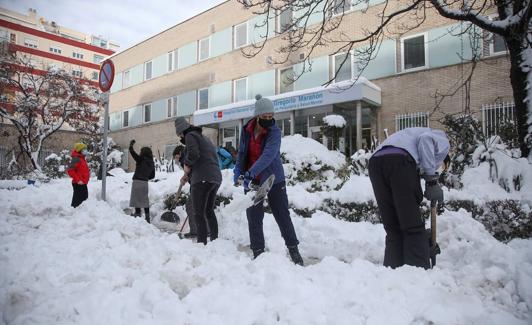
(319, 23)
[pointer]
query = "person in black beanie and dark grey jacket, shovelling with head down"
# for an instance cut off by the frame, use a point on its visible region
(200, 163)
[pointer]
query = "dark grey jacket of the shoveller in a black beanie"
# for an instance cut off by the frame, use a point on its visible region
(200, 154)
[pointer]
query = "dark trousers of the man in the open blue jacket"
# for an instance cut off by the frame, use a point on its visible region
(278, 202)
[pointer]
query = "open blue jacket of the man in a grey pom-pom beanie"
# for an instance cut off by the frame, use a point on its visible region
(269, 161)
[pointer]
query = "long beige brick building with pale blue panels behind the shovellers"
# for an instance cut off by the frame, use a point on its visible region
(196, 69)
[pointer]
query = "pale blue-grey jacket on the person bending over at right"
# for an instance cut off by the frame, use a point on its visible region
(428, 147)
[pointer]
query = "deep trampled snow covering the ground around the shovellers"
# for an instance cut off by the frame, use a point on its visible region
(97, 265)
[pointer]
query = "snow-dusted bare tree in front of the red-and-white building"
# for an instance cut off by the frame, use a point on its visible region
(39, 103)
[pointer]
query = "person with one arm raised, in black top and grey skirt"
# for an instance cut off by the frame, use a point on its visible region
(144, 171)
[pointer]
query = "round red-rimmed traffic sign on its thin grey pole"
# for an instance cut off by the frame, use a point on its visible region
(105, 81)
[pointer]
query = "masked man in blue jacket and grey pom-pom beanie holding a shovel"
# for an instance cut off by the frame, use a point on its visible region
(259, 157)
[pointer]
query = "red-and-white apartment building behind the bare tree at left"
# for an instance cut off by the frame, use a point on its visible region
(45, 44)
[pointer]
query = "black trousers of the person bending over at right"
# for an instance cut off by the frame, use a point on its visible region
(396, 185)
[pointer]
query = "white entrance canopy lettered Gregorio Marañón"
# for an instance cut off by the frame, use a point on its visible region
(345, 91)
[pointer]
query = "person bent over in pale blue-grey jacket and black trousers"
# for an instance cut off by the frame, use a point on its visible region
(393, 171)
